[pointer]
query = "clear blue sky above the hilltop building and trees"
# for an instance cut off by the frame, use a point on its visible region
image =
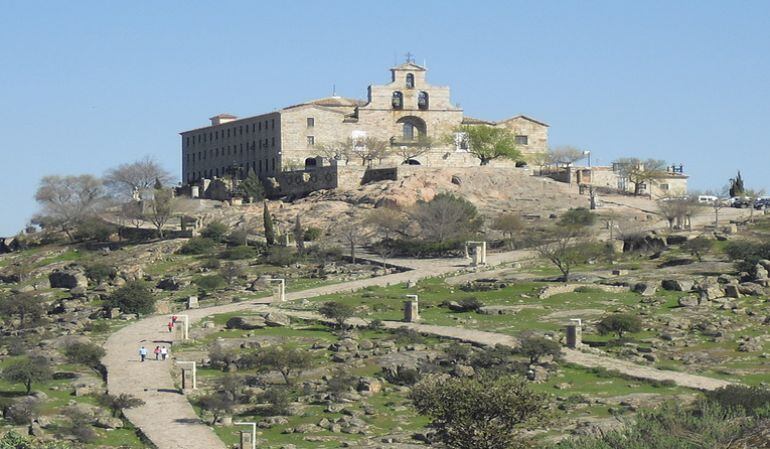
(87, 85)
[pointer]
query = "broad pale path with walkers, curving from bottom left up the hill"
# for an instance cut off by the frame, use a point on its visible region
(167, 418)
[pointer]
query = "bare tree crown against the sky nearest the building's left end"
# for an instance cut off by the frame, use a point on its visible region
(140, 176)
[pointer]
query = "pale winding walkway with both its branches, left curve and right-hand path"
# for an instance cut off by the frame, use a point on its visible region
(168, 419)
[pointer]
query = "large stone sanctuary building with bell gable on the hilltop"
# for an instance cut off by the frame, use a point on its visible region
(401, 113)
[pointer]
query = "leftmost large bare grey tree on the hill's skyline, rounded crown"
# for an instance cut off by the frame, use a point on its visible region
(68, 200)
